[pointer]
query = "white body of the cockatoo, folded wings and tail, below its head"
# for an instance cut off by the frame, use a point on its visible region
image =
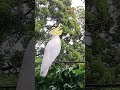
(52, 50)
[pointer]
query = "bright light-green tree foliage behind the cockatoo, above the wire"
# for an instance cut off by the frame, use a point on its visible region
(61, 13)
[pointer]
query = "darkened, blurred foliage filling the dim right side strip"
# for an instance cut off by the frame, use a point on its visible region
(102, 57)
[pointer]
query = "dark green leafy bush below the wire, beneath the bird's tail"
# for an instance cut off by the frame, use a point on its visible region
(58, 78)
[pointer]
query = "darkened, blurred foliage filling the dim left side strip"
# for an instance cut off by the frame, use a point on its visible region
(16, 30)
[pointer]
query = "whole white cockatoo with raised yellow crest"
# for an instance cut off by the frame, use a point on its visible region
(52, 50)
